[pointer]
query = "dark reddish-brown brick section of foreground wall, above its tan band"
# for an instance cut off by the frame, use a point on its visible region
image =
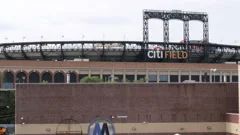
(201, 102)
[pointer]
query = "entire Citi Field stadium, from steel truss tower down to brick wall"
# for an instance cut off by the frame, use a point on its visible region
(187, 87)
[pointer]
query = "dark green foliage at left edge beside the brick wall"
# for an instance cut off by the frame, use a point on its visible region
(7, 107)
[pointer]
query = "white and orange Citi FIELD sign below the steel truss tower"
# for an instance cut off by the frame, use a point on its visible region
(160, 53)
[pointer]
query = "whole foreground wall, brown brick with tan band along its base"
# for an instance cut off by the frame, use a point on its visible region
(200, 108)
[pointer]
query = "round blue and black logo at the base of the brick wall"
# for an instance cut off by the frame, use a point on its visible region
(101, 126)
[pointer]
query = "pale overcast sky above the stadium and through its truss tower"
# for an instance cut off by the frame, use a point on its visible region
(112, 19)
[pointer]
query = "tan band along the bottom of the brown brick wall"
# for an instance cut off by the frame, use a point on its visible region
(134, 128)
